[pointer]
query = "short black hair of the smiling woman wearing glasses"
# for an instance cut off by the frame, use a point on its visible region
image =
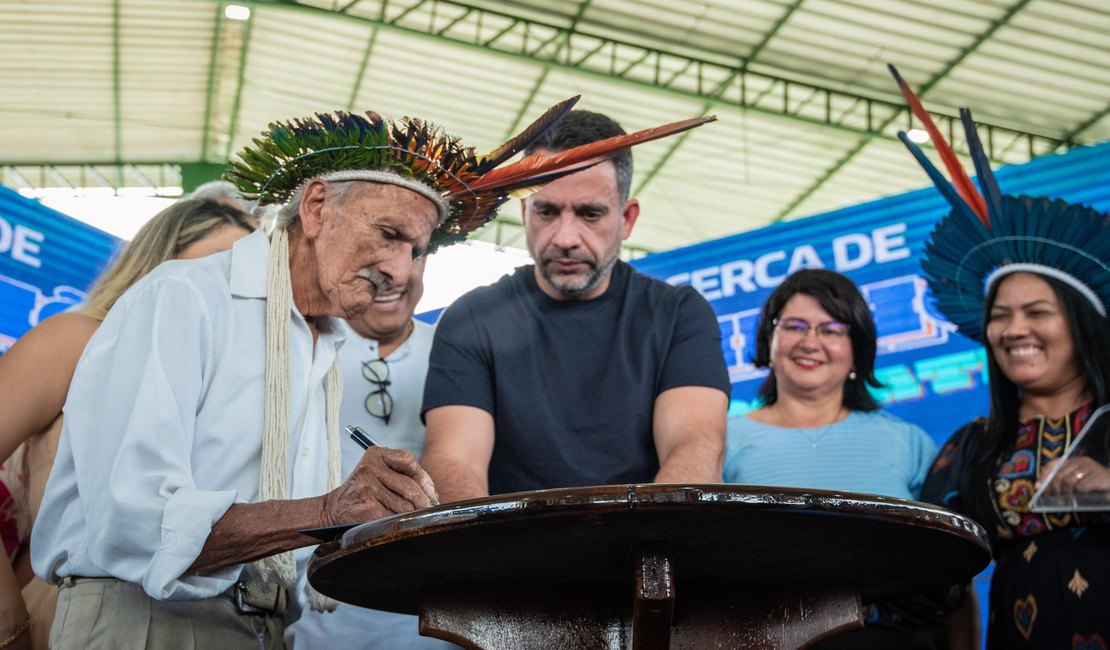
(843, 301)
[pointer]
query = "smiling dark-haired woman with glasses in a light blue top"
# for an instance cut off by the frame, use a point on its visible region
(821, 428)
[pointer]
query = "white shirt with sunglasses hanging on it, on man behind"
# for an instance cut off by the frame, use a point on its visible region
(352, 627)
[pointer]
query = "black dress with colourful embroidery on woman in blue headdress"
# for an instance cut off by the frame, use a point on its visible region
(1052, 584)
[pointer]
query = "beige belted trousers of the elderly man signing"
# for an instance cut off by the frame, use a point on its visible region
(106, 613)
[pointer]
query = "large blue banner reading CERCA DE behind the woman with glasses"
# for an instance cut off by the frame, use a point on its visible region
(933, 377)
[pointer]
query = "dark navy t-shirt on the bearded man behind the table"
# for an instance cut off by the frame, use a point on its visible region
(572, 384)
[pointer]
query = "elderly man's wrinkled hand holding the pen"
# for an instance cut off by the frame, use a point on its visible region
(385, 483)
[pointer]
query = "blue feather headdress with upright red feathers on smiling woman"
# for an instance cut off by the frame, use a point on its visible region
(991, 236)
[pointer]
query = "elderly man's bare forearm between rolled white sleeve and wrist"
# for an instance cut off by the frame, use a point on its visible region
(249, 532)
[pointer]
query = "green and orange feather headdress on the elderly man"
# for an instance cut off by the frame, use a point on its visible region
(467, 188)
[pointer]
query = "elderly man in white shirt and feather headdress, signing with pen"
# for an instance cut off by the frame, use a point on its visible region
(201, 430)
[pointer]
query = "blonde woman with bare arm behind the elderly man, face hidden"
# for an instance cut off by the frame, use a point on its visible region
(35, 378)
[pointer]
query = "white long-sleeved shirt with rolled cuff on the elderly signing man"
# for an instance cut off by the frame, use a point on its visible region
(163, 428)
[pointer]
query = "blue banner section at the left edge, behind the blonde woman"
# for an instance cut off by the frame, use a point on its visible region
(47, 263)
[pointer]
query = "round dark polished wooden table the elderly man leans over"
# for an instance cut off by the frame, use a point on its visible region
(650, 566)
